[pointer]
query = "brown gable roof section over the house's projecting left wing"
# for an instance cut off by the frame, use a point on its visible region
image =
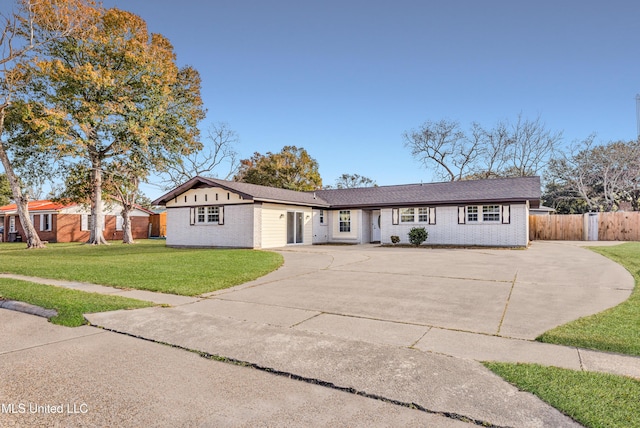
(247, 191)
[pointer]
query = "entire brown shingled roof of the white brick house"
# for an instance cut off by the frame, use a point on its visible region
(500, 190)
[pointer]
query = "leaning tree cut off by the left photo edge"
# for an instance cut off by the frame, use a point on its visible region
(29, 25)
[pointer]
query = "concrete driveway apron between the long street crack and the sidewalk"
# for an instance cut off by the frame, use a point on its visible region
(458, 387)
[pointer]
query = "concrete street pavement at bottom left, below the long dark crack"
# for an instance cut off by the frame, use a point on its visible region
(53, 376)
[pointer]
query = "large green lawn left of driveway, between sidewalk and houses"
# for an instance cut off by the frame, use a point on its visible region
(148, 265)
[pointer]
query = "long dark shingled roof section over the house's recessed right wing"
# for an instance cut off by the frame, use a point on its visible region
(499, 190)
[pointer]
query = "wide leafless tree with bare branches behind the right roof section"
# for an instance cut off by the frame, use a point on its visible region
(517, 149)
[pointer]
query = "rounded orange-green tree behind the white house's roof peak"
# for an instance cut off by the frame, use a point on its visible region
(292, 168)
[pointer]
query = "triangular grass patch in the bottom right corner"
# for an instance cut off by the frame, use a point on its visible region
(593, 399)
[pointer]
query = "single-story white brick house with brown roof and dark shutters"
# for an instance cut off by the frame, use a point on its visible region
(208, 212)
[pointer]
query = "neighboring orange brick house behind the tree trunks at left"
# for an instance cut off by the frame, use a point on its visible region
(57, 222)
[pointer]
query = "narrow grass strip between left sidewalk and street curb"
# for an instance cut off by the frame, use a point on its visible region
(70, 304)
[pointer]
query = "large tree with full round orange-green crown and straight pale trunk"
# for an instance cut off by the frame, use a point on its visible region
(115, 93)
